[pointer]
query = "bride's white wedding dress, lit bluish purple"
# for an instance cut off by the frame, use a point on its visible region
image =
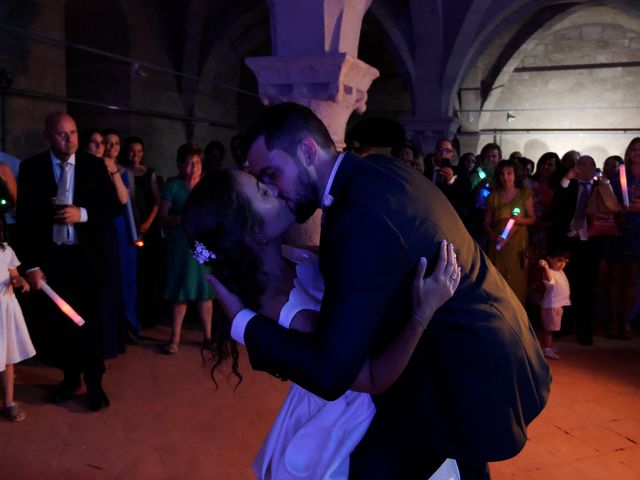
(312, 438)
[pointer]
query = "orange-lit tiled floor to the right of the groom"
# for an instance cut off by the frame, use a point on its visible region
(591, 427)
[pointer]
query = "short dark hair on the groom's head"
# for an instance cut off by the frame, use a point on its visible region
(284, 125)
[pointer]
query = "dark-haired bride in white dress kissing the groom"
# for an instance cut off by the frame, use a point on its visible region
(237, 224)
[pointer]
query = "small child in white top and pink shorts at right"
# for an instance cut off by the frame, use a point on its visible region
(556, 296)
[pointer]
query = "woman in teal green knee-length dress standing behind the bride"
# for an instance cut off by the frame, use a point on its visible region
(185, 277)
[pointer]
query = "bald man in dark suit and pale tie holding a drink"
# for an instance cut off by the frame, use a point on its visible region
(64, 198)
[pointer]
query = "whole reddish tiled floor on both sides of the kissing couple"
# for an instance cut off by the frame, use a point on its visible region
(167, 421)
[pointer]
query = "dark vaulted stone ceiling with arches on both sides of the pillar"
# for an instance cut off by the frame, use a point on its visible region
(433, 55)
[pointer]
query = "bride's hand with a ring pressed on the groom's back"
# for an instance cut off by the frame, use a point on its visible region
(430, 293)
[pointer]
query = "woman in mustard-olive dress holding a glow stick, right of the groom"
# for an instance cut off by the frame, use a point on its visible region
(510, 200)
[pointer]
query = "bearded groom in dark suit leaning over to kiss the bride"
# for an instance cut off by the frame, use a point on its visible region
(477, 377)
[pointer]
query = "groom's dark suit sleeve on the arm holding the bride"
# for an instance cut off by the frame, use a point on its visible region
(368, 263)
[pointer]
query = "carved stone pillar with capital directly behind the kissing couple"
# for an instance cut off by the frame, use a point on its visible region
(314, 64)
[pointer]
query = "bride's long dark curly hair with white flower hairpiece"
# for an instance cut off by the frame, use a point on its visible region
(220, 217)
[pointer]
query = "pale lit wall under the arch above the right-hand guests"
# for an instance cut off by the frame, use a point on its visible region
(577, 107)
